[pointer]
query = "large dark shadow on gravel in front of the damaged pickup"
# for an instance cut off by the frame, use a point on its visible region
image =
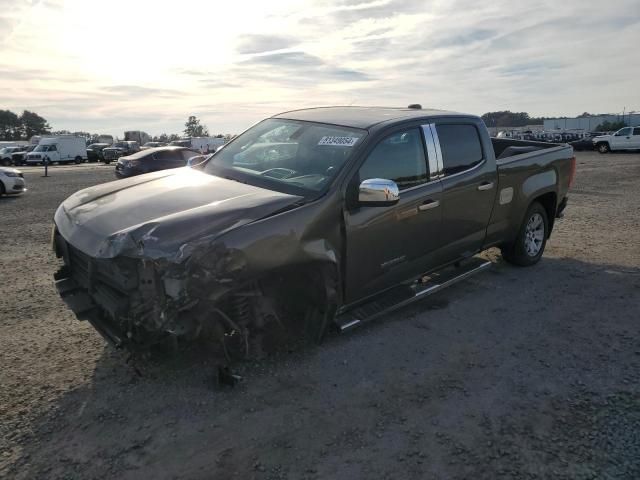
(528, 373)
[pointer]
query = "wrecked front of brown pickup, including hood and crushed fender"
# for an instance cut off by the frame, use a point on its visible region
(185, 256)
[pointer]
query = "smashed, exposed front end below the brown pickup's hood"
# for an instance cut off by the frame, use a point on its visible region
(136, 303)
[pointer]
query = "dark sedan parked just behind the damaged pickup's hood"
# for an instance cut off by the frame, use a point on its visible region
(152, 160)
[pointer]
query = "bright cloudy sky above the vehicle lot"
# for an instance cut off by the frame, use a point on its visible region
(107, 67)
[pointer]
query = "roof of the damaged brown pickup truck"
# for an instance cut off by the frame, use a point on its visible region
(360, 117)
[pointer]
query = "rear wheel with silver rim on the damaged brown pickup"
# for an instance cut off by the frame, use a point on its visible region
(531, 240)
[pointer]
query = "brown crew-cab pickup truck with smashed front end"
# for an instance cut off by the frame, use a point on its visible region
(310, 219)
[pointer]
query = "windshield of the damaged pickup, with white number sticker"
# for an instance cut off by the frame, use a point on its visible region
(286, 155)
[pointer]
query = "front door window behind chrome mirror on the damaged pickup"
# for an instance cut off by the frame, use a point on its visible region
(399, 157)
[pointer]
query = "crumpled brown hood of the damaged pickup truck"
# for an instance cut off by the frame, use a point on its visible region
(156, 215)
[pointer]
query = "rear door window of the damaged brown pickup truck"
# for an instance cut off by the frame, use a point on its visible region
(460, 146)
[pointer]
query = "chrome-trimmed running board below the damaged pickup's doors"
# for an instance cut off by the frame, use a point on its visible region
(404, 295)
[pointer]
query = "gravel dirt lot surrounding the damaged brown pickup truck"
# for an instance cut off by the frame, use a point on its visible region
(516, 373)
